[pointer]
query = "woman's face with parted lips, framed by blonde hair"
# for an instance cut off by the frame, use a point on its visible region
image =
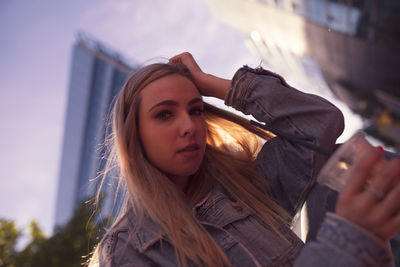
(172, 127)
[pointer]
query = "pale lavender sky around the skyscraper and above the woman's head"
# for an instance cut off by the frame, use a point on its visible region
(35, 53)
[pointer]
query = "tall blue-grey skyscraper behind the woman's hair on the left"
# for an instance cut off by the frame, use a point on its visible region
(96, 76)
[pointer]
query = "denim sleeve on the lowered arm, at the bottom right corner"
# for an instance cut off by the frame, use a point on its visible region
(341, 243)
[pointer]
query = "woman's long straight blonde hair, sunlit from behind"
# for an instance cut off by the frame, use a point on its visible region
(232, 165)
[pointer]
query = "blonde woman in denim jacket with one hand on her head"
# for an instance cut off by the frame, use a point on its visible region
(201, 191)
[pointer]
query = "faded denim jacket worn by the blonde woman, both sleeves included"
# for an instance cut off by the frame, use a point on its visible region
(290, 170)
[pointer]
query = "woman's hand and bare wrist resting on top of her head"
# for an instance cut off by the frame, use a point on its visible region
(207, 84)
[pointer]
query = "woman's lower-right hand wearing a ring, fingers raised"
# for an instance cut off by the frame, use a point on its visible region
(371, 197)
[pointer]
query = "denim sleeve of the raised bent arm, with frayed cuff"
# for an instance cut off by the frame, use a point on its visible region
(289, 168)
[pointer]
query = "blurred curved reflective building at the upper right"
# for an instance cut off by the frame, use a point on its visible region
(353, 44)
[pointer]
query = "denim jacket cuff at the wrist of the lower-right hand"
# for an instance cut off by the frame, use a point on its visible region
(354, 241)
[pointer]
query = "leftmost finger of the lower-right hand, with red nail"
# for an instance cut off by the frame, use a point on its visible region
(361, 170)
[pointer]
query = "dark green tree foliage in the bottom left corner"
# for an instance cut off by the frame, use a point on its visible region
(69, 245)
